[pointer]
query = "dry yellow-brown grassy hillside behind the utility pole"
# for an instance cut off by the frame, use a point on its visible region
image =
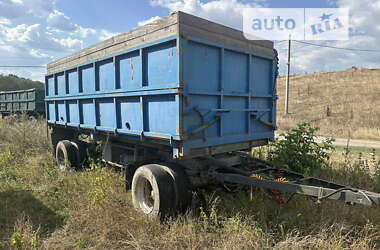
(343, 103)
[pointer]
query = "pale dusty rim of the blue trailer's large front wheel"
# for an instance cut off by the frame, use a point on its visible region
(145, 196)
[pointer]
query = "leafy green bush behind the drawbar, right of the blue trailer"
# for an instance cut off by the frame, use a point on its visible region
(297, 150)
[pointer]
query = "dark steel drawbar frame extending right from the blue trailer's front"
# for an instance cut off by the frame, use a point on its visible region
(296, 183)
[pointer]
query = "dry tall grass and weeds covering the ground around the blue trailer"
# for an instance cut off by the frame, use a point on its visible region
(43, 208)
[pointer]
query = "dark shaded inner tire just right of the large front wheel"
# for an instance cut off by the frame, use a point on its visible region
(181, 185)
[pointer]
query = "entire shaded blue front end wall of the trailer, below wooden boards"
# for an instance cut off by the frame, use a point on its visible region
(229, 95)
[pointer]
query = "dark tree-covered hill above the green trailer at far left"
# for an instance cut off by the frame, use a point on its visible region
(13, 82)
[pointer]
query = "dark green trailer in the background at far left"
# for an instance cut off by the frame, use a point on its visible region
(30, 101)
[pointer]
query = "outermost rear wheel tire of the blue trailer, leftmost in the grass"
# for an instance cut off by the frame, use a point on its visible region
(66, 155)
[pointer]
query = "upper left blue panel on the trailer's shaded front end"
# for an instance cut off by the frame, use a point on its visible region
(202, 67)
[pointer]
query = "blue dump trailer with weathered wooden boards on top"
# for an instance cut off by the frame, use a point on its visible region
(173, 102)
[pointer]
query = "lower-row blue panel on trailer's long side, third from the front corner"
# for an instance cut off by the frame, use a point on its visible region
(106, 113)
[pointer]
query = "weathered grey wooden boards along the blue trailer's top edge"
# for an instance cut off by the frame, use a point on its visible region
(177, 23)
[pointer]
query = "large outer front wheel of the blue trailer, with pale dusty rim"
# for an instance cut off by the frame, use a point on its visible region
(153, 191)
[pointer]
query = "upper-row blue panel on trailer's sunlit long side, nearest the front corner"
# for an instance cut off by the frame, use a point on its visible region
(160, 64)
